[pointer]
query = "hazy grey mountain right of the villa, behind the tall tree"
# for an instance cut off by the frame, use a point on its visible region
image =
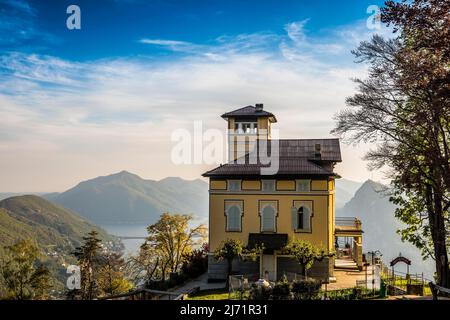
(371, 205)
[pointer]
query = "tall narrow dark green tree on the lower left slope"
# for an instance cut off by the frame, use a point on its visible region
(89, 261)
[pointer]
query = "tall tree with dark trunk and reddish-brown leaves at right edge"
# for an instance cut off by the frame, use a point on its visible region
(404, 106)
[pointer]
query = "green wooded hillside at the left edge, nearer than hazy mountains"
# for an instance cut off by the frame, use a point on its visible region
(54, 229)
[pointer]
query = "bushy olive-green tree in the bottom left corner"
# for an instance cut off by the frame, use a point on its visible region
(21, 275)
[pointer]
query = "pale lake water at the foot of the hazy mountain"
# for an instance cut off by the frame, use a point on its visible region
(124, 230)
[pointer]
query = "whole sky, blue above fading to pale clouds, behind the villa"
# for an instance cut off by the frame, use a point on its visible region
(81, 103)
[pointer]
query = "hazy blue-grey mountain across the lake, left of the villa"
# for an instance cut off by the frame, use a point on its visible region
(126, 198)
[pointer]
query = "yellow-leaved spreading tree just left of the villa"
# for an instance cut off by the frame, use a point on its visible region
(172, 239)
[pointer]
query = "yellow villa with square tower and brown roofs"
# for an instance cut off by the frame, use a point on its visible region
(256, 207)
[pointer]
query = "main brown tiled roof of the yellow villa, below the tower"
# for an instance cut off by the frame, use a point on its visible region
(296, 157)
